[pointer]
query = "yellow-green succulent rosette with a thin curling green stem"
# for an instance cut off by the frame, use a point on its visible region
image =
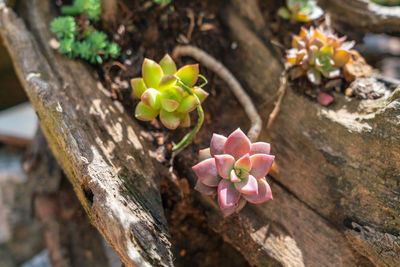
(170, 94)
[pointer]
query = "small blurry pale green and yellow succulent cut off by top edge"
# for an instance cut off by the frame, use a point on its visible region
(300, 10)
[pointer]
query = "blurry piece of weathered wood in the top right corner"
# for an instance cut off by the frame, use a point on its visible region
(364, 15)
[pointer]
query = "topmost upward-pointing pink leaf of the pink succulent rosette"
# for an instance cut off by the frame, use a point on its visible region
(237, 144)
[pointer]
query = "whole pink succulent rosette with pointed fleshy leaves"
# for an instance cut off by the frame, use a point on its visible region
(234, 168)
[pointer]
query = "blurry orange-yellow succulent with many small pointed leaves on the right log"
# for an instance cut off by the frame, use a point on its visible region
(316, 54)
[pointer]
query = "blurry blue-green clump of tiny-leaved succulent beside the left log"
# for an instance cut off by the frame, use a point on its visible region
(89, 44)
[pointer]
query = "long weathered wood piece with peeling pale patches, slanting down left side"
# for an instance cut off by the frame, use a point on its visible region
(93, 140)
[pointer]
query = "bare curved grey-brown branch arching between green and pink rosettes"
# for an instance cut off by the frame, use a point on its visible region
(217, 67)
